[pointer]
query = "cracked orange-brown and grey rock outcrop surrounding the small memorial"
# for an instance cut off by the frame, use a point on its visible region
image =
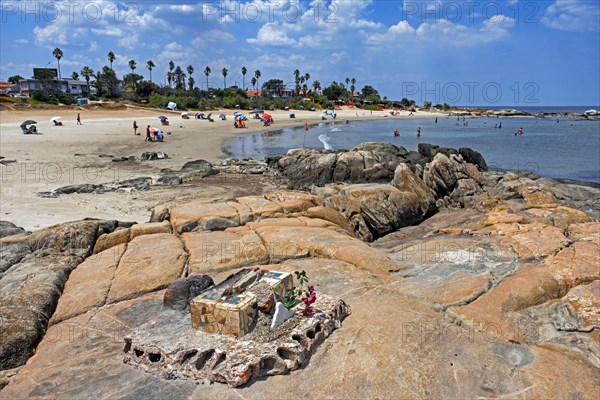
(475, 284)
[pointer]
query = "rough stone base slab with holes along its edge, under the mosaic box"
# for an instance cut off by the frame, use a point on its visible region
(170, 347)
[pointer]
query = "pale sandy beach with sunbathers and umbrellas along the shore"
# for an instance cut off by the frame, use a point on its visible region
(73, 154)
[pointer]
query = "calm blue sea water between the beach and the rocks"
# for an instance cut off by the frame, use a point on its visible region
(567, 148)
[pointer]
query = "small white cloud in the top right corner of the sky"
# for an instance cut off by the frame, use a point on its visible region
(573, 15)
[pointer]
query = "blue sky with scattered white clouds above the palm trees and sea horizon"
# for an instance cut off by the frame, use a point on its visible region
(465, 52)
